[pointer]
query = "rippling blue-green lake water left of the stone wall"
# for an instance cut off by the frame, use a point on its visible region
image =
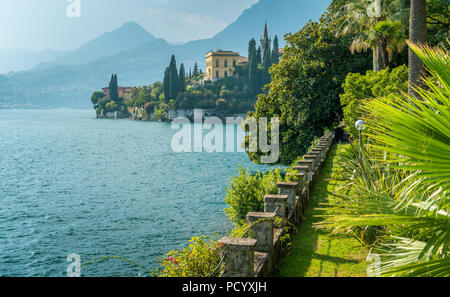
(70, 183)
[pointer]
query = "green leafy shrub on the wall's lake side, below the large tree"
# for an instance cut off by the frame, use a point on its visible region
(246, 193)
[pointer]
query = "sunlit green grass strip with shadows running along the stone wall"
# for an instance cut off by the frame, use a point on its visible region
(317, 253)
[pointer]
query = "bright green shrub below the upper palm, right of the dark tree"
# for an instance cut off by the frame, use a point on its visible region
(359, 88)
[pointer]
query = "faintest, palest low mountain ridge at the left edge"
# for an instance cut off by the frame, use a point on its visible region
(21, 59)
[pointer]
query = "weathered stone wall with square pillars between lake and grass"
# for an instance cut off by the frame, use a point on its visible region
(260, 256)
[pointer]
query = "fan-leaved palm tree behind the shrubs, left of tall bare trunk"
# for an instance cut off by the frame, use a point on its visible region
(375, 24)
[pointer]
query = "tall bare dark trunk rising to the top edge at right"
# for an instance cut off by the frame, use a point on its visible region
(417, 35)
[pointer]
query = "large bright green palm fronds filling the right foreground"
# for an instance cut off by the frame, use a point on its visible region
(399, 194)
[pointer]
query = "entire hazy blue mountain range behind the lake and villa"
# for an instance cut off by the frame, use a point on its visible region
(67, 79)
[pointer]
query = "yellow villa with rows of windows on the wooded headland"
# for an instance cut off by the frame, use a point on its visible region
(220, 64)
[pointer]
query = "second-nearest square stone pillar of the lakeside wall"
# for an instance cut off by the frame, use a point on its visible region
(263, 229)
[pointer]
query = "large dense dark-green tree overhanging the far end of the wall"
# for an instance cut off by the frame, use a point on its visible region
(305, 87)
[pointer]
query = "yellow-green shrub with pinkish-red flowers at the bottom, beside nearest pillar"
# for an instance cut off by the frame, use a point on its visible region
(199, 259)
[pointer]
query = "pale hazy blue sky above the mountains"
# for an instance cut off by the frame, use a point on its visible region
(45, 24)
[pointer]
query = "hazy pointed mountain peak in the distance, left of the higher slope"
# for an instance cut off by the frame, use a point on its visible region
(124, 38)
